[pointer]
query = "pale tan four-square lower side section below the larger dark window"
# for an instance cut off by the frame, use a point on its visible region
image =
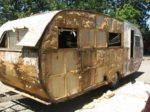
(62, 78)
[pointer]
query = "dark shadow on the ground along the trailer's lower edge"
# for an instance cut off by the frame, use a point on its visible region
(73, 104)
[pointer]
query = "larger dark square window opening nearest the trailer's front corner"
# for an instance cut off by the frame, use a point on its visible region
(67, 38)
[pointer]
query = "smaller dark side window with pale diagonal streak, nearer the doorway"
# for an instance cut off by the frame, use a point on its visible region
(114, 39)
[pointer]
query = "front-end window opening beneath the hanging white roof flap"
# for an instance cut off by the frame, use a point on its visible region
(11, 38)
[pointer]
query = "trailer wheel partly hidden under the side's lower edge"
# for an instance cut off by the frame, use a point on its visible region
(115, 81)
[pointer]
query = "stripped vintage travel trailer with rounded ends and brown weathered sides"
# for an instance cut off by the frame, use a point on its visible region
(57, 55)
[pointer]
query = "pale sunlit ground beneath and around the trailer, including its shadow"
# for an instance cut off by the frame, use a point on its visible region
(130, 96)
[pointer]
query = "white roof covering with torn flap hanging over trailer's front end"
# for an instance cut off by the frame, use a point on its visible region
(35, 25)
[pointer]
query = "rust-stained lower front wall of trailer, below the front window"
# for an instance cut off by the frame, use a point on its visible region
(21, 70)
